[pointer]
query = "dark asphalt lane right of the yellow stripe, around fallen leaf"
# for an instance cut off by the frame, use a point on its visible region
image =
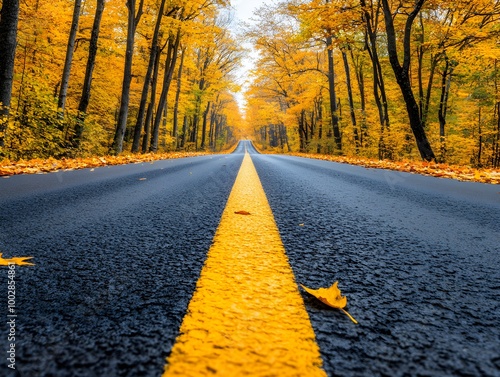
(417, 257)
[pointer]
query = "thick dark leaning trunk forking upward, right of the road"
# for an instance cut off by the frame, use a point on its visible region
(402, 76)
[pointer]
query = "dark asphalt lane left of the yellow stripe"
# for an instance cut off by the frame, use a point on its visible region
(117, 254)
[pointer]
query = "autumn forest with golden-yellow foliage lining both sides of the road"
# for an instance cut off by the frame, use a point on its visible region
(383, 79)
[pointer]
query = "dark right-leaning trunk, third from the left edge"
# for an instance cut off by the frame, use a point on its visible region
(87, 82)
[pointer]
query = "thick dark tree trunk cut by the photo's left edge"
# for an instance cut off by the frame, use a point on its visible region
(9, 16)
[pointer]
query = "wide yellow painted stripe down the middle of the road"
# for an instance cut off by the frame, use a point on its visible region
(246, 317)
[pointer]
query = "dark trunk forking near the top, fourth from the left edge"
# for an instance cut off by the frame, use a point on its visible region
(121, 126)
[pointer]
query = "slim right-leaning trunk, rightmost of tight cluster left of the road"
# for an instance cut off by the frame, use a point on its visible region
(172, 52)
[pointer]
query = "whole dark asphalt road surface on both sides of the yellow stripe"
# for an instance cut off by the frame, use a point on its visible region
(118, 252)
